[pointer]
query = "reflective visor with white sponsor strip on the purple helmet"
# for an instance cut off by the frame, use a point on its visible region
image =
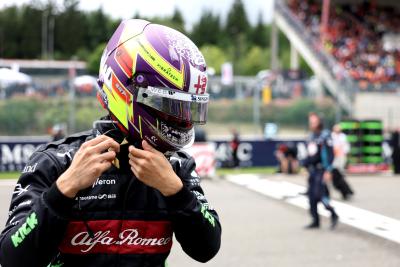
(183, 106)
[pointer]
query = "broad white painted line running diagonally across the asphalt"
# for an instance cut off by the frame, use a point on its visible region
(365, 220)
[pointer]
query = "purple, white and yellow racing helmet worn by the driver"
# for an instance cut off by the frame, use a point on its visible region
(153, 82)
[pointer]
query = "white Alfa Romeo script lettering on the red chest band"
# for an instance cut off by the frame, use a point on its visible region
(129, 237)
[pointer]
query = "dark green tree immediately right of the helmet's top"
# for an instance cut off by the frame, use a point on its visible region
(207, 30)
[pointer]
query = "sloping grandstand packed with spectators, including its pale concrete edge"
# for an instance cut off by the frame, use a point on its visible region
(352, 46)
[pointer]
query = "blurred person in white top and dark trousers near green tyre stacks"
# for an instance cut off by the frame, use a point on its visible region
(340, 149)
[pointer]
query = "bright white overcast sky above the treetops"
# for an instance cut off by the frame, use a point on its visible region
(191, 9)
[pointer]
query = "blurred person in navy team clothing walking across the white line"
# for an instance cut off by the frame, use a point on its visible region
(319, 165)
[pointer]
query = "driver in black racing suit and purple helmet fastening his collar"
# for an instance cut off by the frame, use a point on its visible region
(116, 194)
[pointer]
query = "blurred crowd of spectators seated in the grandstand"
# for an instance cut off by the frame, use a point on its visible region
(355, 37)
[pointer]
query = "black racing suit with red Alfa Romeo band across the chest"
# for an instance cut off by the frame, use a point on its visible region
(118, 221)
